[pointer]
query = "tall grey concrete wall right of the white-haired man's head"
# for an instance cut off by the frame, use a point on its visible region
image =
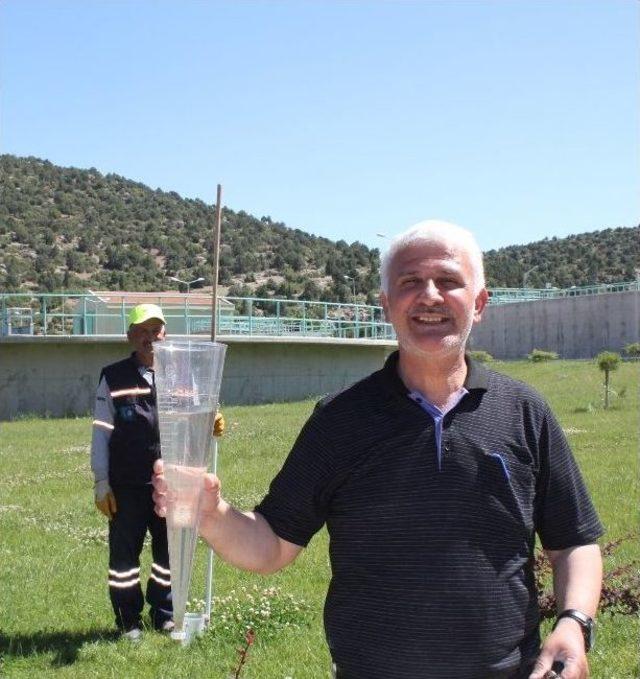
(574, 327)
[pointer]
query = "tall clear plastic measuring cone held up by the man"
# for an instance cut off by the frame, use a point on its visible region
(188, 378)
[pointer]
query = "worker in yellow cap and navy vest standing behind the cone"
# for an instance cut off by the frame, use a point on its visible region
(124, 446)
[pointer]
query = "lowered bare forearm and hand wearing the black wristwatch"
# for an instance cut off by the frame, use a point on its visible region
(577, 581)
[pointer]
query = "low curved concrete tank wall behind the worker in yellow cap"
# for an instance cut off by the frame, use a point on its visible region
(58, 376)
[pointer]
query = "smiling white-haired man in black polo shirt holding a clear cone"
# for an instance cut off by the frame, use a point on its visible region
(433, 476)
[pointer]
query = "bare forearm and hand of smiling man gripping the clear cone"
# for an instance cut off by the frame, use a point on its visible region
(243, 539)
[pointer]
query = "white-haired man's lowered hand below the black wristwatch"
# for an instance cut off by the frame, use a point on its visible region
(566, 644)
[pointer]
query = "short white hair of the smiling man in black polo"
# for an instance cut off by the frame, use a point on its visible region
(438, 232)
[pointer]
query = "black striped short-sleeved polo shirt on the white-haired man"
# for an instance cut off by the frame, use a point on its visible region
(432, 569)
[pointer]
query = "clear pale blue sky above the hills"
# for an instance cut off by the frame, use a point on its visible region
(515, 119)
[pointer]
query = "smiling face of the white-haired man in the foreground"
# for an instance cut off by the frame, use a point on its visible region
(432, 302)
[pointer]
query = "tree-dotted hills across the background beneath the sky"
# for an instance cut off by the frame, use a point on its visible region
(72, 229)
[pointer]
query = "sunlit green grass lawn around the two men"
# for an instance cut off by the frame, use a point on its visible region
(55, 617)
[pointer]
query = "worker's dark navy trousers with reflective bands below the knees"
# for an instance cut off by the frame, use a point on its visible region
(127, 530)
